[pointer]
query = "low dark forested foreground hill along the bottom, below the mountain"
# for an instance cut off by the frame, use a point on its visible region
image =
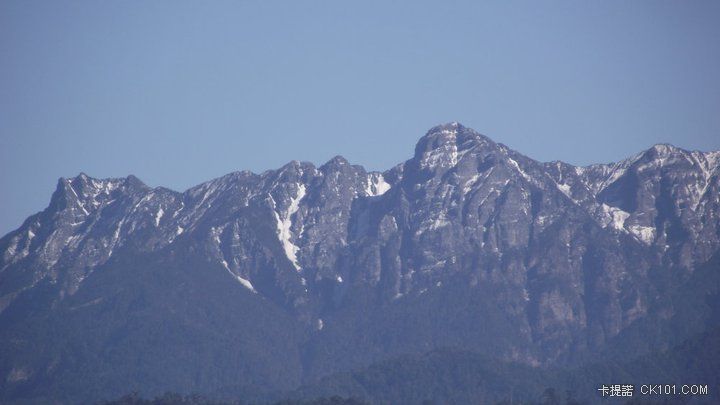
(468, 378)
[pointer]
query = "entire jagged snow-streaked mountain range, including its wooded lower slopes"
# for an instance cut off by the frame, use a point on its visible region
(251, 284)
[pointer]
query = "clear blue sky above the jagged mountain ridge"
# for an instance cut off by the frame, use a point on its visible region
(180, 92)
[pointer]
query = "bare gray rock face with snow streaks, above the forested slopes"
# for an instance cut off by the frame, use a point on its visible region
(565, 255)
